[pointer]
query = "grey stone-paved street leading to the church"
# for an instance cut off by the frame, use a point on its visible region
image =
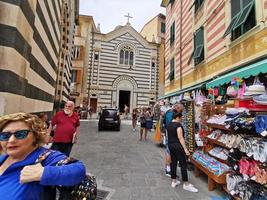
(130, 169)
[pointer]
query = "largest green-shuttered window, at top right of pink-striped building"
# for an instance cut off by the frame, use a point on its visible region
(243, 18)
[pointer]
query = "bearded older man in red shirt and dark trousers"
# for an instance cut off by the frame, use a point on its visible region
(65, 134)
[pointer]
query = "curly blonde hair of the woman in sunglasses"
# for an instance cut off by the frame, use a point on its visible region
(35, 124)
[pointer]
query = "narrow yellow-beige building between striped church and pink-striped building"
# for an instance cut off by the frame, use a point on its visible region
(154, 31)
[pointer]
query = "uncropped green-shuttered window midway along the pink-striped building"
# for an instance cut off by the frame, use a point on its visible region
(198, 53)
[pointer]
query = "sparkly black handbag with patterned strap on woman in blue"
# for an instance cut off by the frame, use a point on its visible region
(85, 190)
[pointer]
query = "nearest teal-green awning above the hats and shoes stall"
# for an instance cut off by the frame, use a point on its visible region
(244, 72)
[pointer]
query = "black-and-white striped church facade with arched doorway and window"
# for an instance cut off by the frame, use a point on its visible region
(123, 69)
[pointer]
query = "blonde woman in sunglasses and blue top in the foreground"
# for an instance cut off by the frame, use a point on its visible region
(21, 137)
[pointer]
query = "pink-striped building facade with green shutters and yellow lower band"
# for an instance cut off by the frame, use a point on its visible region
(207, 38)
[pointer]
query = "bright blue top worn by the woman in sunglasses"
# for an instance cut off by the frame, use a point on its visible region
(66, 175)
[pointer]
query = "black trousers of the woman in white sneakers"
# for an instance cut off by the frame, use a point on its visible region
(178, 154)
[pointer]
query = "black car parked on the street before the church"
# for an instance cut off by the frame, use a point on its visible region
(109, 118)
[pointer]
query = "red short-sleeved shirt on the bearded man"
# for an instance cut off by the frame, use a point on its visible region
(65, 126)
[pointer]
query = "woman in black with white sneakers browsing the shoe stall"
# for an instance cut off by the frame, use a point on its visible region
(178, 151)
